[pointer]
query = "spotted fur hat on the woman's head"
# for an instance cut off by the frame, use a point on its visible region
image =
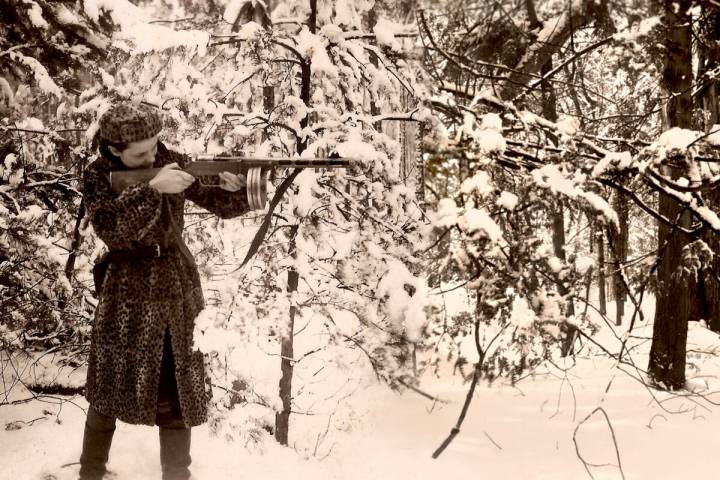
(129, 122)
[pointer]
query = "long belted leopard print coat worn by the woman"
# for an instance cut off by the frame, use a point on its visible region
(141, 299)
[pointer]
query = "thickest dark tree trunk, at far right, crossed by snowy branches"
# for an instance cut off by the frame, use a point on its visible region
(676, 290)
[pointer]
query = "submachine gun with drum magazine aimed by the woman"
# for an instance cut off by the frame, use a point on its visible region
(207, 167)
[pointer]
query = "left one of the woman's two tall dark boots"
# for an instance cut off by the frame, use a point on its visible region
(97, 439)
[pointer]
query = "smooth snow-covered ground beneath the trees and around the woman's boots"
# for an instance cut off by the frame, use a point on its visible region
(524, 431)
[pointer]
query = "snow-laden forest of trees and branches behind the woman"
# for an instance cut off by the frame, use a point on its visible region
(529, 175)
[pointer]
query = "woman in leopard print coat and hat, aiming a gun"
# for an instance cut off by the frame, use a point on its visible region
(142, 369)
